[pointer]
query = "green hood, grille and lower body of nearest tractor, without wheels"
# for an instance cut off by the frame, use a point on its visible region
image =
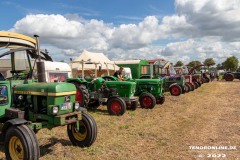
(38, 100)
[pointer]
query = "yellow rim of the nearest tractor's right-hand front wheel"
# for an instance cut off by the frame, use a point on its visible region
(79, 134)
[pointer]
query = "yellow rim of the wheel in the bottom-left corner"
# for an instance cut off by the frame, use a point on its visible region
(16, 148)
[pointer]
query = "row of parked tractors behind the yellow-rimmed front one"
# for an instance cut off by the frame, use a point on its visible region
(145, 85)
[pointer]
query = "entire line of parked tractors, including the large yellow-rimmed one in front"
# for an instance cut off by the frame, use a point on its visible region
(28, 103)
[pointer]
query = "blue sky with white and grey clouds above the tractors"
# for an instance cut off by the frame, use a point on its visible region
(184, 30)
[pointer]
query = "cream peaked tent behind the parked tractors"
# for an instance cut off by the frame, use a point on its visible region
(93, 58)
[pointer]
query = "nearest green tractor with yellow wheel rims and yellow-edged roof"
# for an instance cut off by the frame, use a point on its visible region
(28, 104)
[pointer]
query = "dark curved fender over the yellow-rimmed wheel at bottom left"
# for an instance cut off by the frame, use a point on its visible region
(9, 123)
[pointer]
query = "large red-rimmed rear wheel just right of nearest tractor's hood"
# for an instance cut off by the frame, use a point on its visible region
(82, 95)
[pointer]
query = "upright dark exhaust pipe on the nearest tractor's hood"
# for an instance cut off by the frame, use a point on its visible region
(40, 64)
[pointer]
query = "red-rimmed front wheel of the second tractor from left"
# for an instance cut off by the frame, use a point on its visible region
(116, 106)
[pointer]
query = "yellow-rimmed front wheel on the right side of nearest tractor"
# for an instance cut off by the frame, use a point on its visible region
(84, 133)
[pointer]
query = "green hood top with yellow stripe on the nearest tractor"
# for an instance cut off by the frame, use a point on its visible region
(46, 89)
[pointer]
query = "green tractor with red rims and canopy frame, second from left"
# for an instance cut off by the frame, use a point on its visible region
(118, 96)
